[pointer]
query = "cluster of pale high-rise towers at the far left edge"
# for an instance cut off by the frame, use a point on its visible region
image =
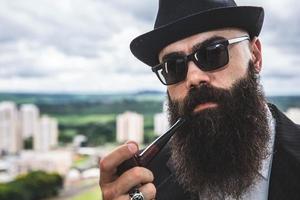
(21, 122)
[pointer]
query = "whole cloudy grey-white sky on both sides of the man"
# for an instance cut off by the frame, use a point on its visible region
(83, 46)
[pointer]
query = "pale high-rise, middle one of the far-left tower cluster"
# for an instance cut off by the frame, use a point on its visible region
(29, 114)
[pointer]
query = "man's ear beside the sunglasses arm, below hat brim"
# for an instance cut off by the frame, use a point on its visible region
(256, 54)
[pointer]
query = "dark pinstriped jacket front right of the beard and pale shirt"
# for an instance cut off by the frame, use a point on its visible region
(285, 172)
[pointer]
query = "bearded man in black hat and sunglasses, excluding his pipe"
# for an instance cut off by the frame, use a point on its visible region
(234, 145)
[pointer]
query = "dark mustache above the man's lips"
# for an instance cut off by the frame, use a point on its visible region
(203, 94)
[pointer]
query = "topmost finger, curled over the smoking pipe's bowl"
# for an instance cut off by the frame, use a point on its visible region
(108, 165)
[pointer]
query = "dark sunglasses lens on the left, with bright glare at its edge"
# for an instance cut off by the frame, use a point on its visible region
(172, 71)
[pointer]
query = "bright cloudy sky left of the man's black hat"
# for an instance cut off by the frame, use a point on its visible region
(60, 43)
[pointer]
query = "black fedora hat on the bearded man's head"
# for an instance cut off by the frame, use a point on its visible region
(178, 19)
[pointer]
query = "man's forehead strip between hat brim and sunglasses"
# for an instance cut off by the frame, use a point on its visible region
(186, 44)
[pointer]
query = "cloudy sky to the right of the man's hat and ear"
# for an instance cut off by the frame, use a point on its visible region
(280, 42)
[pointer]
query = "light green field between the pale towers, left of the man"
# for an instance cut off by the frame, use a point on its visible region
(98, 128)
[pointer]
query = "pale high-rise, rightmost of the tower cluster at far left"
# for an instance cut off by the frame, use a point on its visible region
(47, 134)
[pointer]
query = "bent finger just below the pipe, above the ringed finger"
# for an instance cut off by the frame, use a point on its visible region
(131, 178)
